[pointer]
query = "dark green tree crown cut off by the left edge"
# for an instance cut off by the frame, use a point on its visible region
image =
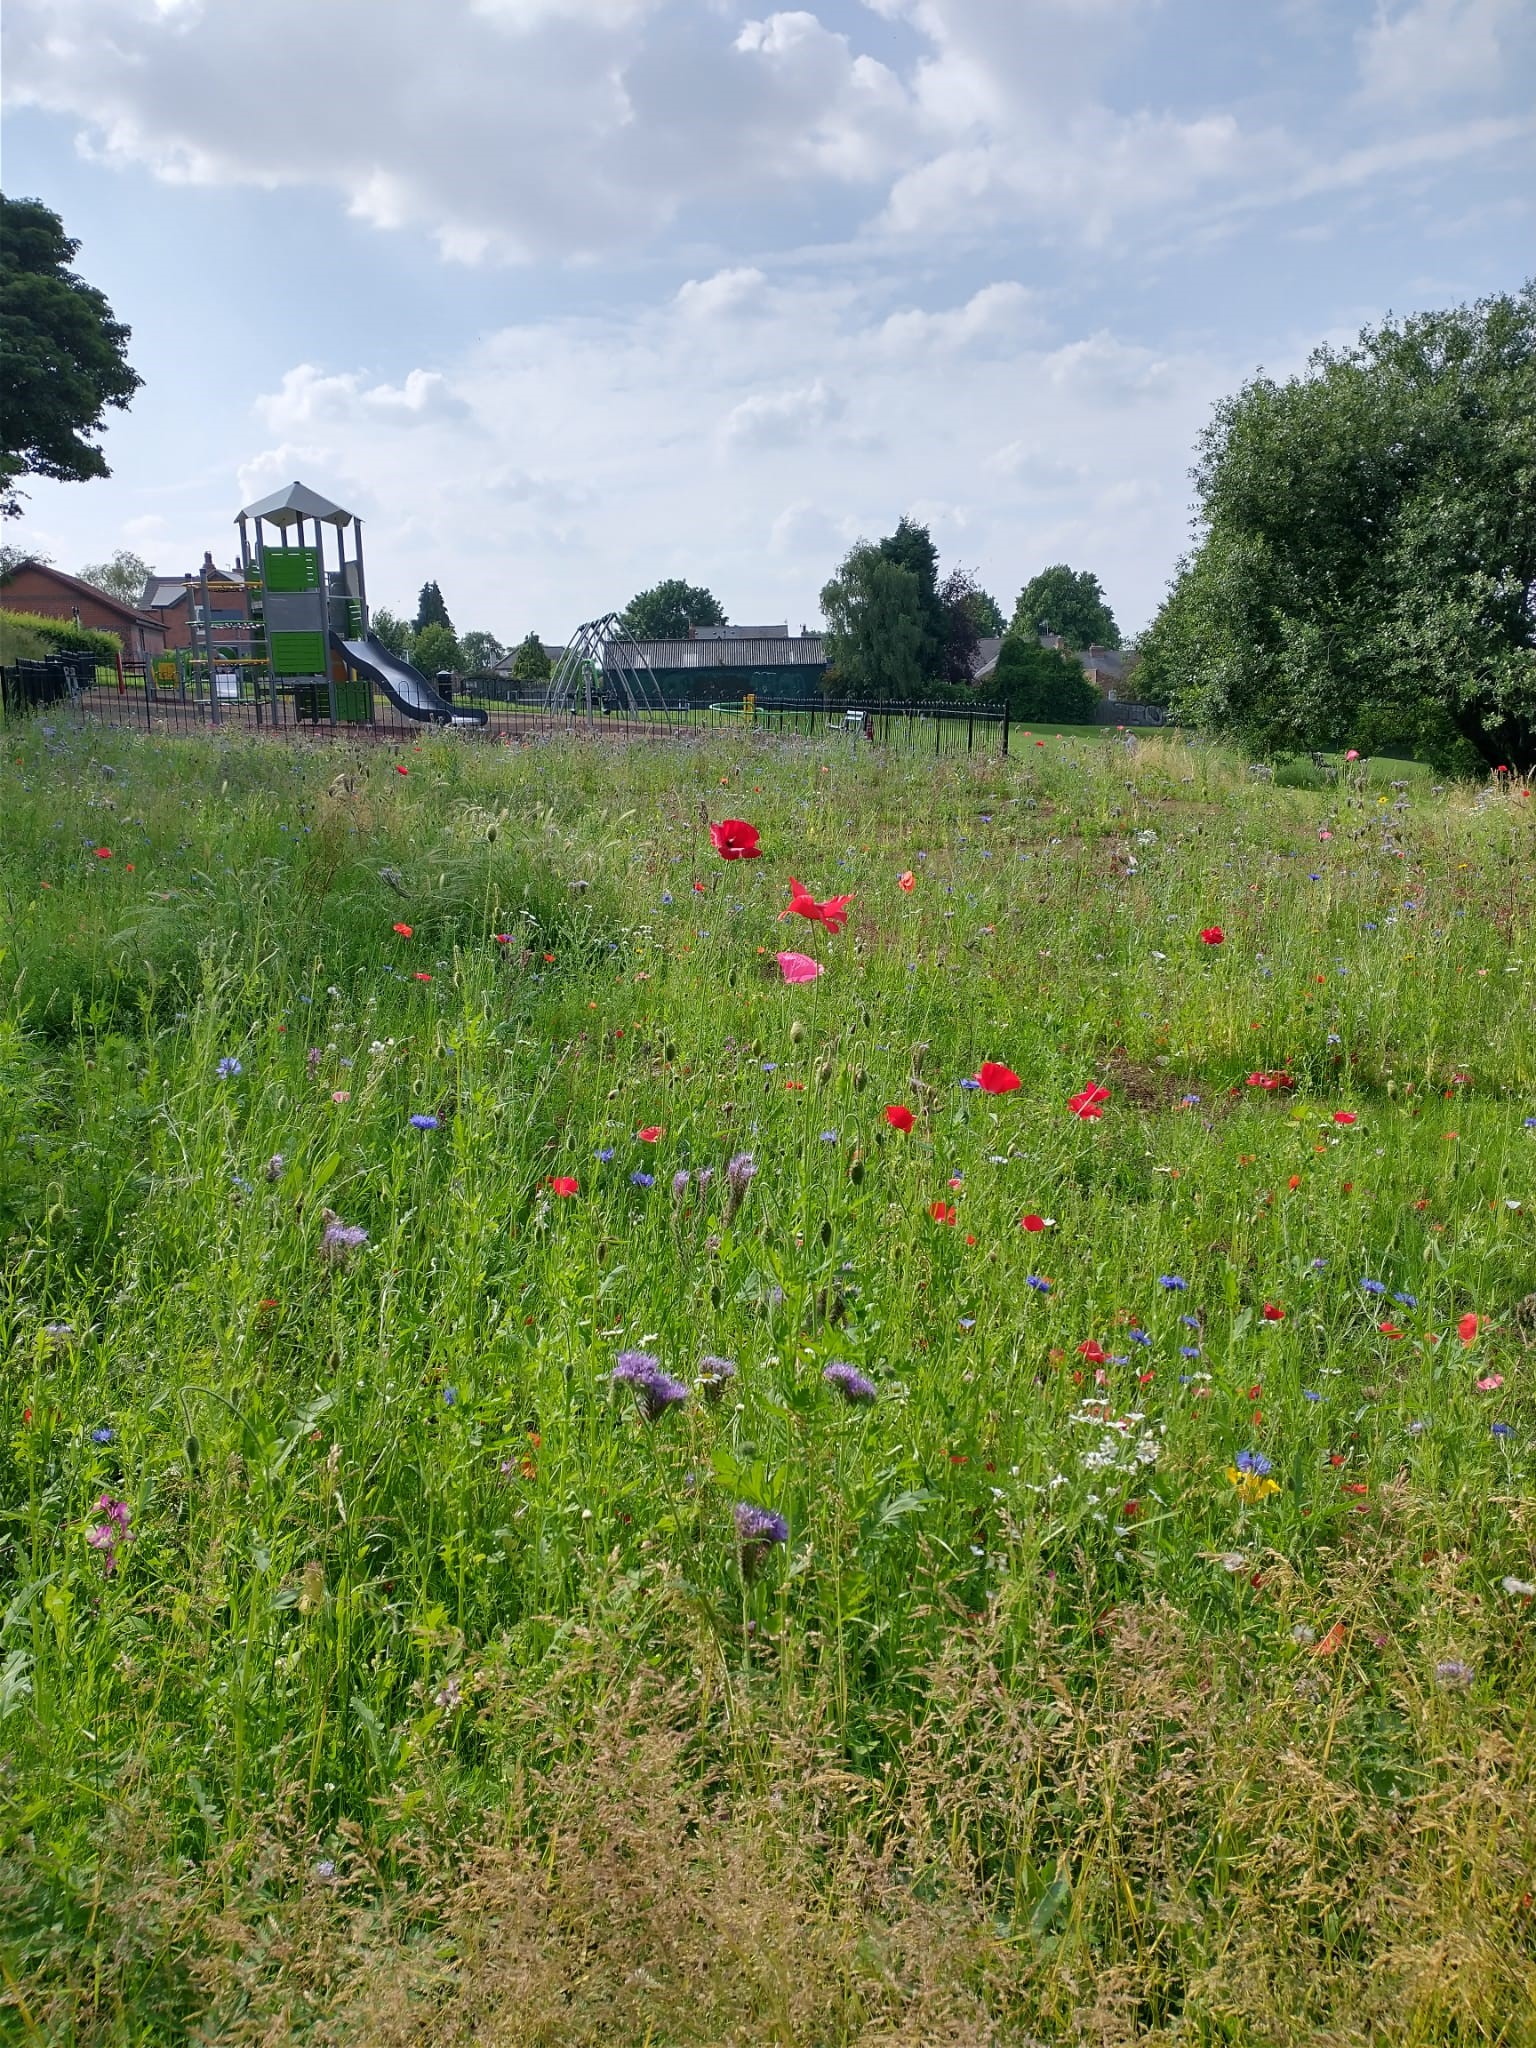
(62, 355)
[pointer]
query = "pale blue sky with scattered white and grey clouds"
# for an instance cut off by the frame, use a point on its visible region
(568, 296)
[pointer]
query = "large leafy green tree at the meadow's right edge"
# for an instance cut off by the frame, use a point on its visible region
(1369, 558)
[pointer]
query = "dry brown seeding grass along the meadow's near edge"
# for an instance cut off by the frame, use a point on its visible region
(699, 1869)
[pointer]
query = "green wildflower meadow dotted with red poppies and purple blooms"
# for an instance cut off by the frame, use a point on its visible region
(761, 1394)
